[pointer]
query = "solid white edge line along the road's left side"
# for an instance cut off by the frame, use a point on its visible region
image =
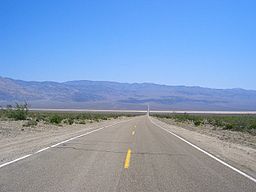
(65, 141)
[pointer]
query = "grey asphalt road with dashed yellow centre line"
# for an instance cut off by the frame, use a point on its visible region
(135, 155)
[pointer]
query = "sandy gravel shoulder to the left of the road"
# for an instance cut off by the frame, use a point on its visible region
(17, 141)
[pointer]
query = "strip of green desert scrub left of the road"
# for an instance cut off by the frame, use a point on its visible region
(32, 118)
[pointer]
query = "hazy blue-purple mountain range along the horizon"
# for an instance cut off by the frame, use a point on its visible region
(112, 95)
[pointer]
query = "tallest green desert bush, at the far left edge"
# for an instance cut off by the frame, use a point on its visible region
(19, 112)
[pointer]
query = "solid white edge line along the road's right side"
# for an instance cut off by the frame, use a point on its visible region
(205, 152)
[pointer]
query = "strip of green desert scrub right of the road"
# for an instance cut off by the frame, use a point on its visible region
(242, 123)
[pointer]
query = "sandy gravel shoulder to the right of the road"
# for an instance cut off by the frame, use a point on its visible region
(236, 148)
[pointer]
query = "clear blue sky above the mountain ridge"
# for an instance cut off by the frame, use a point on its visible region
(205, 43)
